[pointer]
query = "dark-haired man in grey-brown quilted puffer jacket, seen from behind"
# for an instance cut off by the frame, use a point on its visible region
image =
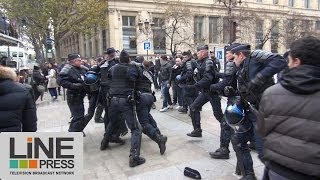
(289, 116)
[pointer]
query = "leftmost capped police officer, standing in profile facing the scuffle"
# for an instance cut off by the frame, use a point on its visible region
(71, 78)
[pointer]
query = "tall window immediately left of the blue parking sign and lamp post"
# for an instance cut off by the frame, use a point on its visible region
(129, 34)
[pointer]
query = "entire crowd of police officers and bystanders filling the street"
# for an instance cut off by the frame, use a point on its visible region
(279, 120)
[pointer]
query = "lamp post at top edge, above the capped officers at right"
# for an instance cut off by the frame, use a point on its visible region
(230, 4)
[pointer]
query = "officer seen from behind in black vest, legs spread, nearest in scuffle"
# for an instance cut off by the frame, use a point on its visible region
(122, 92)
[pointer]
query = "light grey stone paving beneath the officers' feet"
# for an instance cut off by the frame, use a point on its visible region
(181, 151)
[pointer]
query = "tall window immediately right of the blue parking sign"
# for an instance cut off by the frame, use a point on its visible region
(159, 36)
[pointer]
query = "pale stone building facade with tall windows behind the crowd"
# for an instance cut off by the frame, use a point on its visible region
(168, 26)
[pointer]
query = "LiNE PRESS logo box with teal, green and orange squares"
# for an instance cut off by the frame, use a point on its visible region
(36, 155)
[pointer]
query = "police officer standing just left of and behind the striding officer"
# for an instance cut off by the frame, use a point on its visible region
(186, 79)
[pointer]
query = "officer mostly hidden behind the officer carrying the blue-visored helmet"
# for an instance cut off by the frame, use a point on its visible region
(229, 80)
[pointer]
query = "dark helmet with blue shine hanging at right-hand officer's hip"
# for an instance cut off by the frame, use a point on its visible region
(235, 117)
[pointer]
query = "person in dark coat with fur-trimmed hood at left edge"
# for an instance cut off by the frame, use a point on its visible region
(17, 108)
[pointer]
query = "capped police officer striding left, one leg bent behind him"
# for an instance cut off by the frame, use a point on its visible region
(205, 74)
